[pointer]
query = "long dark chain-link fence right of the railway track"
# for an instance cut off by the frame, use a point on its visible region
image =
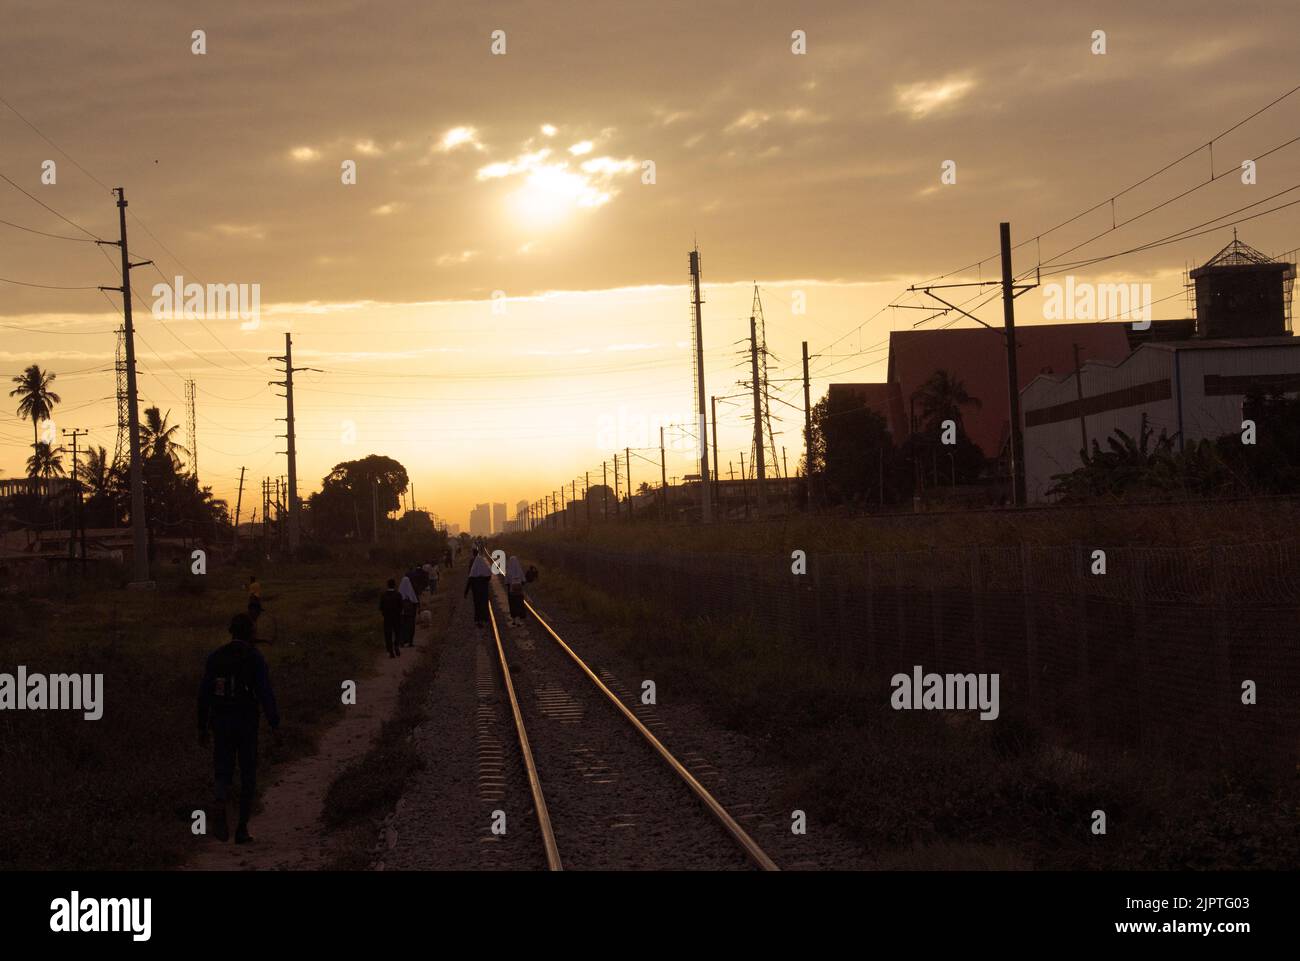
(1154, 655)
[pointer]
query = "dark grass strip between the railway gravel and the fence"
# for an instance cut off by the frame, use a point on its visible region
(924, 790)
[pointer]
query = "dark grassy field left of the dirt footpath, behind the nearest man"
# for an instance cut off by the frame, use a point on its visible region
(119, 793)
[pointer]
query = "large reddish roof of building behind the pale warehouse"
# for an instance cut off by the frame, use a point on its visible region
(977, 357)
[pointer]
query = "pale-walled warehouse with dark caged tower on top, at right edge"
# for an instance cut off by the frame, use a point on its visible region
(1190, 389)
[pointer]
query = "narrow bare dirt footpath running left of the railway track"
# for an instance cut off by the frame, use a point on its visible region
(289, 832)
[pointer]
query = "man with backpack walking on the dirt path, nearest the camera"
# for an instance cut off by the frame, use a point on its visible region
(236, 690)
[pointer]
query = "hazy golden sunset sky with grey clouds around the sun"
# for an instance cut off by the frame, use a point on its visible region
(814, 175)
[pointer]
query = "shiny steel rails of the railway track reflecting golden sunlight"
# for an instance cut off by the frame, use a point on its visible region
(756, 856)
